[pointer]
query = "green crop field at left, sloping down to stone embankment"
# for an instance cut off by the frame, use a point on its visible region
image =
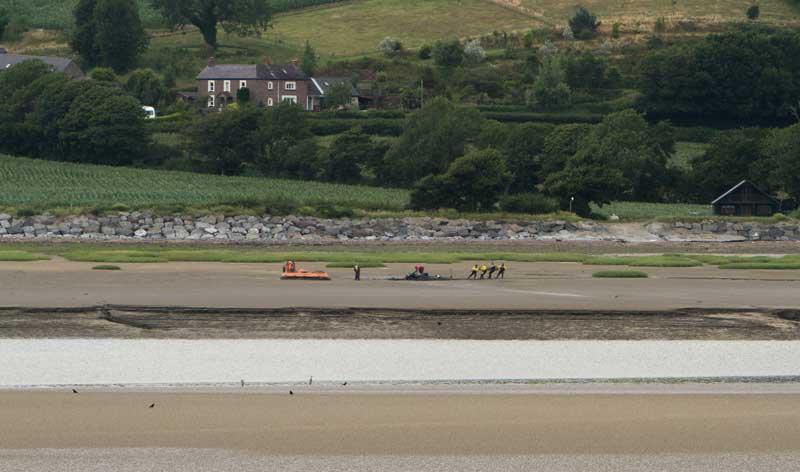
(36, 184)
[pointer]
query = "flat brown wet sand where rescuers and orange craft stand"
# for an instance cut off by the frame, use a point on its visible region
(544, 286)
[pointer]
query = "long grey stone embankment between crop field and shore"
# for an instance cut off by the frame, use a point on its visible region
(149, 227)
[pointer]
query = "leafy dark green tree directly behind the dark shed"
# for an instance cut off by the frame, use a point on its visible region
(726, 162)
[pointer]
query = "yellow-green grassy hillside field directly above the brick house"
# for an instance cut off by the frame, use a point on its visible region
(356, 27)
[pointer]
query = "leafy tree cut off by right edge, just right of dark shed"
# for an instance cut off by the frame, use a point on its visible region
(781, 150)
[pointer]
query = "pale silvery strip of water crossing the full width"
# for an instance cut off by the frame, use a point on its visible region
(34, 362)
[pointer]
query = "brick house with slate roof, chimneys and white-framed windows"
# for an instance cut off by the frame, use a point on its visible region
(269, 84)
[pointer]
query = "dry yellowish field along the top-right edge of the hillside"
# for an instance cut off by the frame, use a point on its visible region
(633, 12)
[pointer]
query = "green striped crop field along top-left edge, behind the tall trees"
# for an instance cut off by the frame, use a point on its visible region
(57, 14)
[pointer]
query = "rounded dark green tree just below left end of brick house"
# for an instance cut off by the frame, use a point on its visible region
(229, 140)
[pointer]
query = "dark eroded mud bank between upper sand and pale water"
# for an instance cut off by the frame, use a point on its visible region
(292, 323)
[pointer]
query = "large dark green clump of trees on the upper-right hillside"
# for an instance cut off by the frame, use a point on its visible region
(747, 75)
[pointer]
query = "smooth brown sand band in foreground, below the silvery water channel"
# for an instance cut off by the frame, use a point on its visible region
(420, 424)
